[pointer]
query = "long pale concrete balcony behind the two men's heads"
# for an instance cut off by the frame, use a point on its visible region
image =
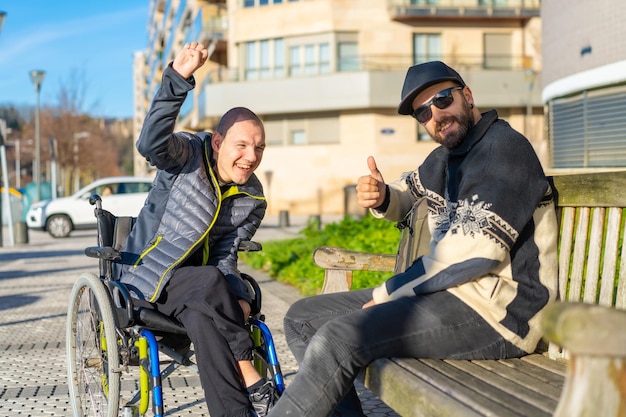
(372, 83)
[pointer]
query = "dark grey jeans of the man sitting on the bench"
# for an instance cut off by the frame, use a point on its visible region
(333, 338)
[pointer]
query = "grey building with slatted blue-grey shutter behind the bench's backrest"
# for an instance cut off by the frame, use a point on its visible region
(584, 83)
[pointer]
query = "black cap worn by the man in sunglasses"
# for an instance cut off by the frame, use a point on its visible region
(421, 76)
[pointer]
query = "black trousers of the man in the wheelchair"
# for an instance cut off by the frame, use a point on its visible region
(201, 299)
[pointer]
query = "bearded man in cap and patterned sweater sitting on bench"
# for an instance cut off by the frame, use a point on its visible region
(491, 270)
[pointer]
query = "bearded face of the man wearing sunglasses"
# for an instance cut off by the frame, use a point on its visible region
(448, 126)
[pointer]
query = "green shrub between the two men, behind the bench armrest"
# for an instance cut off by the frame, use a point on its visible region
(290, 261)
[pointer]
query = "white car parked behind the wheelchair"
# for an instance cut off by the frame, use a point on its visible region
(122, 196)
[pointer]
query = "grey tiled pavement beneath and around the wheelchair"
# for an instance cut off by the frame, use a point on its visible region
(35, 283)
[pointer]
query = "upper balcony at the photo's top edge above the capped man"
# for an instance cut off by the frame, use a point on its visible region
(416, 10)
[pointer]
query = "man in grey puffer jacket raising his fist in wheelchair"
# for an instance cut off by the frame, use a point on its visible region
(181, 255)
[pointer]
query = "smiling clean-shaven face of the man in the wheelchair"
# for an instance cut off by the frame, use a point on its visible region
(239, 152)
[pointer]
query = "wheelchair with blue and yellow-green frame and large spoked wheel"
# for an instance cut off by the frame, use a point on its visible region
(142, 329)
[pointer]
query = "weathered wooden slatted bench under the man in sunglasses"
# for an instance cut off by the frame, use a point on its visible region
(581, 372)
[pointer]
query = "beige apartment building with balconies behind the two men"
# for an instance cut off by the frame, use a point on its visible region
(325, 76)
